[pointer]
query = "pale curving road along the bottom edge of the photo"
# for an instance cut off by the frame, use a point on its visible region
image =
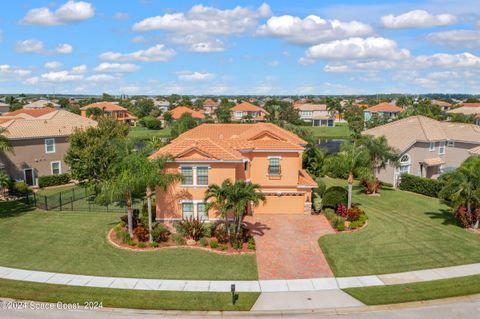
(467, 308)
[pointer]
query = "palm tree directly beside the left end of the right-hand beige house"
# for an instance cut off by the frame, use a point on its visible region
(380, 154)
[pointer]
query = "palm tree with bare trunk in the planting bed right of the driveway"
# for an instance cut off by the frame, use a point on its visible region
(355, 157)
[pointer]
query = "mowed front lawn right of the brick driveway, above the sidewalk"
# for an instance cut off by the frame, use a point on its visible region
(405, 232)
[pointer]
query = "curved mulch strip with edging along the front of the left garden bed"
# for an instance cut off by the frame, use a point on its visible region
(112, 238)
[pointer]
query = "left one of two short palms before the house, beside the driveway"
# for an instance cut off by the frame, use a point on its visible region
(218, 196)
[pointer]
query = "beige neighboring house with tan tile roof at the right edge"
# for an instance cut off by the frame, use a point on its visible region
(427, 147)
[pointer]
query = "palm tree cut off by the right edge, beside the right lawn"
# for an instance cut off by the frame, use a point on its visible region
(462, 187)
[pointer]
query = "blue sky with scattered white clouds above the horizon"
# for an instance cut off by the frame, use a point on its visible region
(244, 47)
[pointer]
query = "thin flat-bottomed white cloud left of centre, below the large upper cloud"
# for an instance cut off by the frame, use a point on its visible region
(157, 53)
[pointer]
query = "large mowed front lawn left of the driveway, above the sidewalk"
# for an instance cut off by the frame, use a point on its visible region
(76, 242)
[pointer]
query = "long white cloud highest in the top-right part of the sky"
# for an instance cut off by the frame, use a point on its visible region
(417, 19)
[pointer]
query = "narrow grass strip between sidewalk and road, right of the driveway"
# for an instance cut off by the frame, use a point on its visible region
(445, 288)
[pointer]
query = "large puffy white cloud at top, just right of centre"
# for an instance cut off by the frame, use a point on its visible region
(312, 29)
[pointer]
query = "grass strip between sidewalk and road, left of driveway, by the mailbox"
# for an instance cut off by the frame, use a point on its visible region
(123, 298)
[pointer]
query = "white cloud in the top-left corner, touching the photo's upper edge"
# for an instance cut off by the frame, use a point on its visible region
(69, 12)
